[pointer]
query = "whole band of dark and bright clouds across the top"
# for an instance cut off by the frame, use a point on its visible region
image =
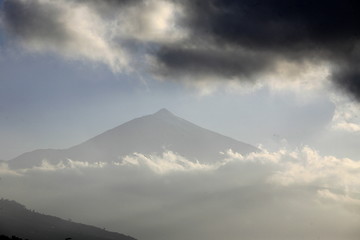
(198, 41)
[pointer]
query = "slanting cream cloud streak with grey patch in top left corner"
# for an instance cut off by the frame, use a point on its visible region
(66, 28)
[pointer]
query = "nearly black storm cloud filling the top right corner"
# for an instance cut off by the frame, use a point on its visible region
(277, 24)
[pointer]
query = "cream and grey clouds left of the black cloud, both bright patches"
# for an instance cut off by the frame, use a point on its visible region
(89, 30)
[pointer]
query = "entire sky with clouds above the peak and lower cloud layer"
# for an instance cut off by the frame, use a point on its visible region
(73, 69)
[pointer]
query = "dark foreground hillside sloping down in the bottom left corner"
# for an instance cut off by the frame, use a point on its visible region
(16, 220)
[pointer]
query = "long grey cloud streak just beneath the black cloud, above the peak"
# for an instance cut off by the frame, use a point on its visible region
(210, 62)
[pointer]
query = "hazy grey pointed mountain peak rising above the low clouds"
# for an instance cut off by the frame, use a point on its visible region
(149, 134)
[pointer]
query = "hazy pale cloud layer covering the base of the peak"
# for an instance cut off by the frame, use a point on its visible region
(288, 194)
